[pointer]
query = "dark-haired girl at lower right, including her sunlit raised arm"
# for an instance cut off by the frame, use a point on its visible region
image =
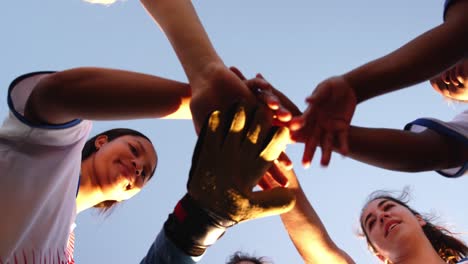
(395, 232)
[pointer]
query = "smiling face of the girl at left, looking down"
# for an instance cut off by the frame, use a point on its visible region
(123, 166)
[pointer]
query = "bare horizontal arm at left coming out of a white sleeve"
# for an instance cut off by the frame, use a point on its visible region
(106, 94)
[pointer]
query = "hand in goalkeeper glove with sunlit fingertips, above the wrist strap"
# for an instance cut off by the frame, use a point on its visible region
(233, 152)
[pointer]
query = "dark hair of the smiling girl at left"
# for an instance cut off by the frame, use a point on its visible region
(90, 148)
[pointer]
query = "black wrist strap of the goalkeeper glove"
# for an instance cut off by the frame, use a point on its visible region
(193, 229)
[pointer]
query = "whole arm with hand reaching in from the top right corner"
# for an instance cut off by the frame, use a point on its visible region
(332, 103)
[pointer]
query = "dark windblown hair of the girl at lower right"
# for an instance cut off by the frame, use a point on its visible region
(449, 248)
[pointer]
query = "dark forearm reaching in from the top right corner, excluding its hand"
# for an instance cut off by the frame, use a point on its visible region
(418, 60)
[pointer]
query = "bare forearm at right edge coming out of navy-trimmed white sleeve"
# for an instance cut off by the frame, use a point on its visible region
(403, 150)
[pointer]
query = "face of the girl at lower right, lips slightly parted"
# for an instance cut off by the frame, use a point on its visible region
(390, 227)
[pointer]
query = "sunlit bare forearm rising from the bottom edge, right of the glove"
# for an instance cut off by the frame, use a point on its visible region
(307, 231)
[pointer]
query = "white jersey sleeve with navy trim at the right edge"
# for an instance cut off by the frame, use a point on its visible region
(456, 129)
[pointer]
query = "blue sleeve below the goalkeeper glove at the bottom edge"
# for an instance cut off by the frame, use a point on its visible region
(163, 251)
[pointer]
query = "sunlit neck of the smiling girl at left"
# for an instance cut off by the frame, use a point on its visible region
(88, 194)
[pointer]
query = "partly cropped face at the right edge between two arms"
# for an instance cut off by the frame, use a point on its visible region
(453, 83)
